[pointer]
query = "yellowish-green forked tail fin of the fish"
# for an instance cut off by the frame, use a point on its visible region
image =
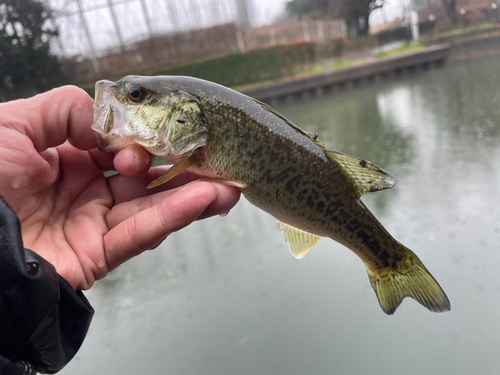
(407, 278)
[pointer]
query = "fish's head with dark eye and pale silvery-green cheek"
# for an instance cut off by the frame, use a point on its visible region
(154, 114)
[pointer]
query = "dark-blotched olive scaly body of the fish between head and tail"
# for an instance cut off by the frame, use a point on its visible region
(256, 146)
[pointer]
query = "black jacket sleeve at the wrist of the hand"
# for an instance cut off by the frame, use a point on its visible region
(43, 321)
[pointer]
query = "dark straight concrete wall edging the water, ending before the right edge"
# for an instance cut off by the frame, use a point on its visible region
(373, 69)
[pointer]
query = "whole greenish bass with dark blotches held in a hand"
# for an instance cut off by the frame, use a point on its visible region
(312, 191)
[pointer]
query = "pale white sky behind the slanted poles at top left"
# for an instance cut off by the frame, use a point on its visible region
(165, 17)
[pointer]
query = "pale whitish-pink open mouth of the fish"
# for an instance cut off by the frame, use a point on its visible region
(110, 117)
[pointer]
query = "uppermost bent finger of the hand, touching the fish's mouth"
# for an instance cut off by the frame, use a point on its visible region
(51, 118)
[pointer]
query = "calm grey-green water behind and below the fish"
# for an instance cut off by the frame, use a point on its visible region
(225, 296)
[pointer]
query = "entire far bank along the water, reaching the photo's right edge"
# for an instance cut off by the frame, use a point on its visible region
(373, 68)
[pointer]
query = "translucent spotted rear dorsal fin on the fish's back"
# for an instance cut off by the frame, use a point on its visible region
(366, 176)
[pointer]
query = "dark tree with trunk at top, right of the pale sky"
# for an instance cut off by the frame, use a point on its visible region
(357, 12)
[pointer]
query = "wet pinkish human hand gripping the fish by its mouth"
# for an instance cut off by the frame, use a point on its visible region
(51, 175)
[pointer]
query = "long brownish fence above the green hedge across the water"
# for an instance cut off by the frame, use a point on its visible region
(172, 49)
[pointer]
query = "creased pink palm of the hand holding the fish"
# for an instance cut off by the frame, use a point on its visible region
(62, 207)
